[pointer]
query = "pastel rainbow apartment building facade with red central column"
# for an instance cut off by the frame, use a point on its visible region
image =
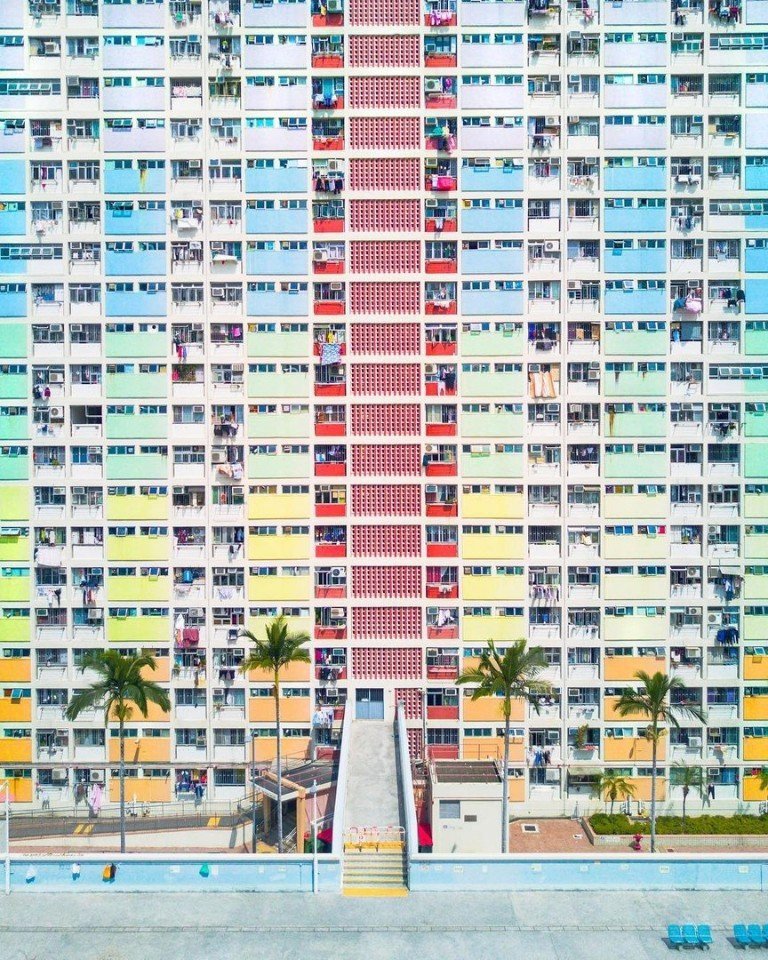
(420, 323)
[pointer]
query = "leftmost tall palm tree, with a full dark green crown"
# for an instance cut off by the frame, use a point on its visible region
(121, 687)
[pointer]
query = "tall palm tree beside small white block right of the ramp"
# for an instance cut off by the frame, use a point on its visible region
(511, 676)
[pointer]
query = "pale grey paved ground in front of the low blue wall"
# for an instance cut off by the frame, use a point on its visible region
(462, 926)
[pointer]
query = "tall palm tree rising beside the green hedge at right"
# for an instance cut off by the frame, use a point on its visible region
(652, 701)
